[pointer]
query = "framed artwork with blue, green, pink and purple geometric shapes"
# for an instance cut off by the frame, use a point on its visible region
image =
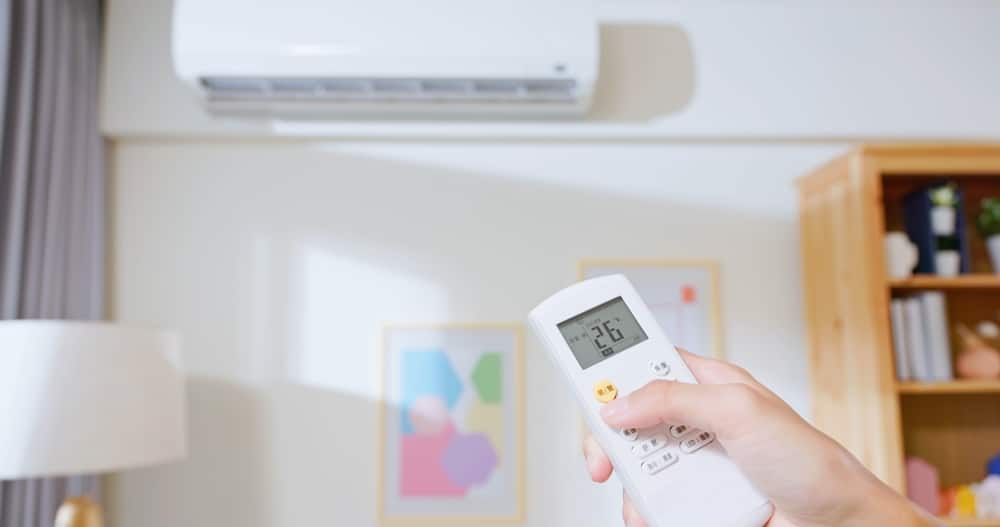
(451, 425)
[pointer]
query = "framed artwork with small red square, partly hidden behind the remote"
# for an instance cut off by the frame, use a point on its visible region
(683, 296)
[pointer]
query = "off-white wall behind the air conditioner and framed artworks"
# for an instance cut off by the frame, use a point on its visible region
(248, 245)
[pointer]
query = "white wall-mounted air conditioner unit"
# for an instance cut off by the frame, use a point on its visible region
(315, 59)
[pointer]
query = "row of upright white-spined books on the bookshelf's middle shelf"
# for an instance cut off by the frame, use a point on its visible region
(921, 345)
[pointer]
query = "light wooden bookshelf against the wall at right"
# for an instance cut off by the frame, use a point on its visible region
(846, 207)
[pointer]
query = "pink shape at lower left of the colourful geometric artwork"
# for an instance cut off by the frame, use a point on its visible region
(423, 471)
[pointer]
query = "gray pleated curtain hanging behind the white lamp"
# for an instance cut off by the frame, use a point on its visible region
(52, 190)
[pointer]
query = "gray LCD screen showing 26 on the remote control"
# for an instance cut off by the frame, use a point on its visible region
(599, 333)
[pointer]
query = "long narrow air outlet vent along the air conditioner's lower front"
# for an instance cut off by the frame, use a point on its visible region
(341, 89)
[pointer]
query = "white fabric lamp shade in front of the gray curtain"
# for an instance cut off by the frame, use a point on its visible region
(83, 398)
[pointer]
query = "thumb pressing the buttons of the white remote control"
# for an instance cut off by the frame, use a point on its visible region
(718, 408)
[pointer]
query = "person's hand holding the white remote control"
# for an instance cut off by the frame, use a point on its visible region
(811, 480)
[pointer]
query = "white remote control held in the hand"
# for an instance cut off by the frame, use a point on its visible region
(604, 338)
